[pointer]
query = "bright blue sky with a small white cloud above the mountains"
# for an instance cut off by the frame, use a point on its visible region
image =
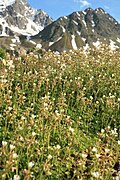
(58, 8)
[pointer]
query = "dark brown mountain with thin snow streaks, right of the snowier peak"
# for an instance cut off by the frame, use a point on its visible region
(80, 29)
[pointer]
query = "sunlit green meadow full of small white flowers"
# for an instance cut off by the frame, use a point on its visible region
(60, 116)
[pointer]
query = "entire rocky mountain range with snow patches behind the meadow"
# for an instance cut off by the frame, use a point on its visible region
(23, 26)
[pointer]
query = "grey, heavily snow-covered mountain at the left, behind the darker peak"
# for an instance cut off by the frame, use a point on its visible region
(18, 18)
